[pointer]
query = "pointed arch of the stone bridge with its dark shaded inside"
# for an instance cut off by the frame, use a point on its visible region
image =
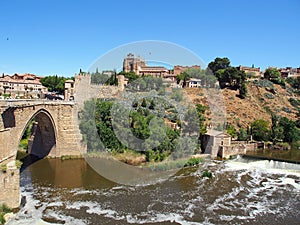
(44, 134)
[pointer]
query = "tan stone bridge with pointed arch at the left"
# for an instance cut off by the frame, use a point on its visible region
(57, 134)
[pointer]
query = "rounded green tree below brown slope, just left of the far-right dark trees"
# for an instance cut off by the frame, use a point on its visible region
(260, 130)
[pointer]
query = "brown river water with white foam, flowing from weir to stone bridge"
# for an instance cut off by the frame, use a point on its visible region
(242, 191)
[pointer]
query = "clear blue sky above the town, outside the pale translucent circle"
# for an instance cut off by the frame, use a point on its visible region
(47, 37)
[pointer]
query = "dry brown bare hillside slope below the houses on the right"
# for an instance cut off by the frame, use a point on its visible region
(262, 98)
